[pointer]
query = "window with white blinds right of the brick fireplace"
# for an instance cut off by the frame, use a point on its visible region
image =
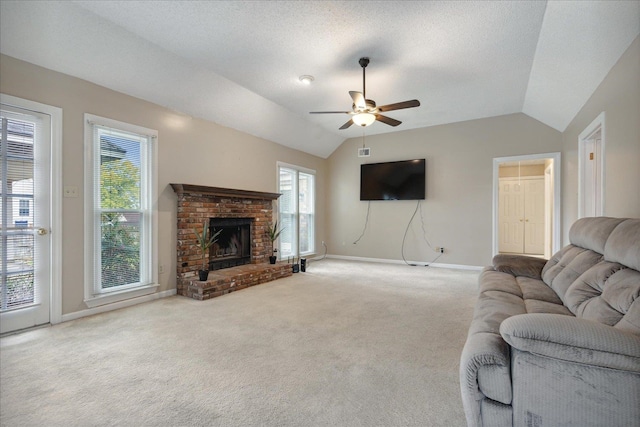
(296, 210)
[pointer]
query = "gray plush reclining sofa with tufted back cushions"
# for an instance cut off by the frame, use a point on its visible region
(557, 342)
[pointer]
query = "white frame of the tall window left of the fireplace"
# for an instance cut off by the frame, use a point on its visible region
(94, 295)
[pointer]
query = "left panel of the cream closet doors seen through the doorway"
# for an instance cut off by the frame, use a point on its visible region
(510, 216)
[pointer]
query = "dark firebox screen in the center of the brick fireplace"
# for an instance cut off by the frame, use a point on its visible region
(234, 242)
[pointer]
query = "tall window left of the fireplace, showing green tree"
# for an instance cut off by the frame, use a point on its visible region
(121, 220)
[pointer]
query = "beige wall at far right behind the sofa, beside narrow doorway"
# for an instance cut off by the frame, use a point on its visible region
(619, 97)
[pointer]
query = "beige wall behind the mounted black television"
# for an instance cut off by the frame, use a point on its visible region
(457, 211)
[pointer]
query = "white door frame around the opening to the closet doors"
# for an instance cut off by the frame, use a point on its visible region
(557, 186)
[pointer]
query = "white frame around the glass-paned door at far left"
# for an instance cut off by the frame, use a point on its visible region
(55, 271)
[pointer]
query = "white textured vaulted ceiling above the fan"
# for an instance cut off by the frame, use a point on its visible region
(237, 63)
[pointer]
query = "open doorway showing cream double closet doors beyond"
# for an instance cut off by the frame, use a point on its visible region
(526, 204)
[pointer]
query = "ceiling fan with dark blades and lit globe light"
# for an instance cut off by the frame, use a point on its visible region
(364, 111)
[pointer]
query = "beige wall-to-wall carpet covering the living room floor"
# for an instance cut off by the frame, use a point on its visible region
(344, 344)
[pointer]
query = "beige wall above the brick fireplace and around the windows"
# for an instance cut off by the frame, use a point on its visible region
(190, 151)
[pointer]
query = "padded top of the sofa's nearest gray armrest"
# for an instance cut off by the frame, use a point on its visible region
(573, 339)
